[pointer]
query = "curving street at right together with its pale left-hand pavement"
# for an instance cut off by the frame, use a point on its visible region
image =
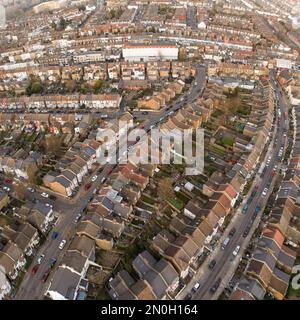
(226, 263)
